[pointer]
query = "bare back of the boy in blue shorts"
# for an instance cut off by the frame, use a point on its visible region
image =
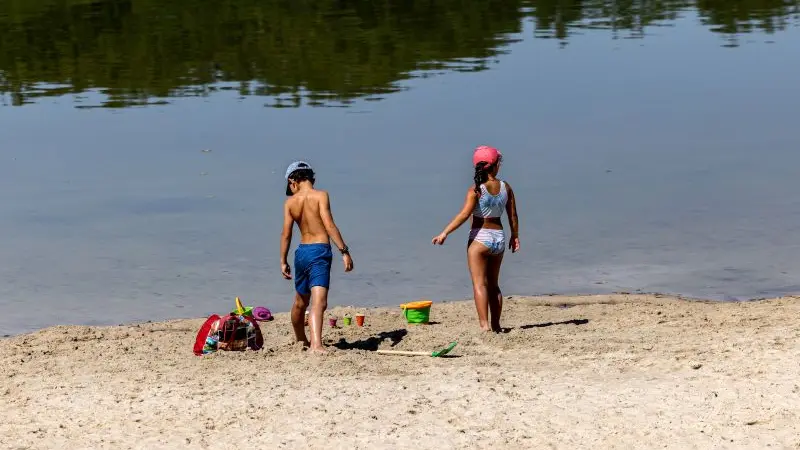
(310, 210)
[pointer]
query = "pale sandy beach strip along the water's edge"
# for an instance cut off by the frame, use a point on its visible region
(618, 371)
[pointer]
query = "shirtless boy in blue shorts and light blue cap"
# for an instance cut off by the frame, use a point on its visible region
(310, 209)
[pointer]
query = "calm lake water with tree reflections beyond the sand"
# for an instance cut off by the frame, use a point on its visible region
(652, 146)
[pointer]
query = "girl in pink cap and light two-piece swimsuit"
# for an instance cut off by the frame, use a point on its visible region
(486, 202)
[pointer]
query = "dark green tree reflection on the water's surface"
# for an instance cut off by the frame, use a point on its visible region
(317, 52)
